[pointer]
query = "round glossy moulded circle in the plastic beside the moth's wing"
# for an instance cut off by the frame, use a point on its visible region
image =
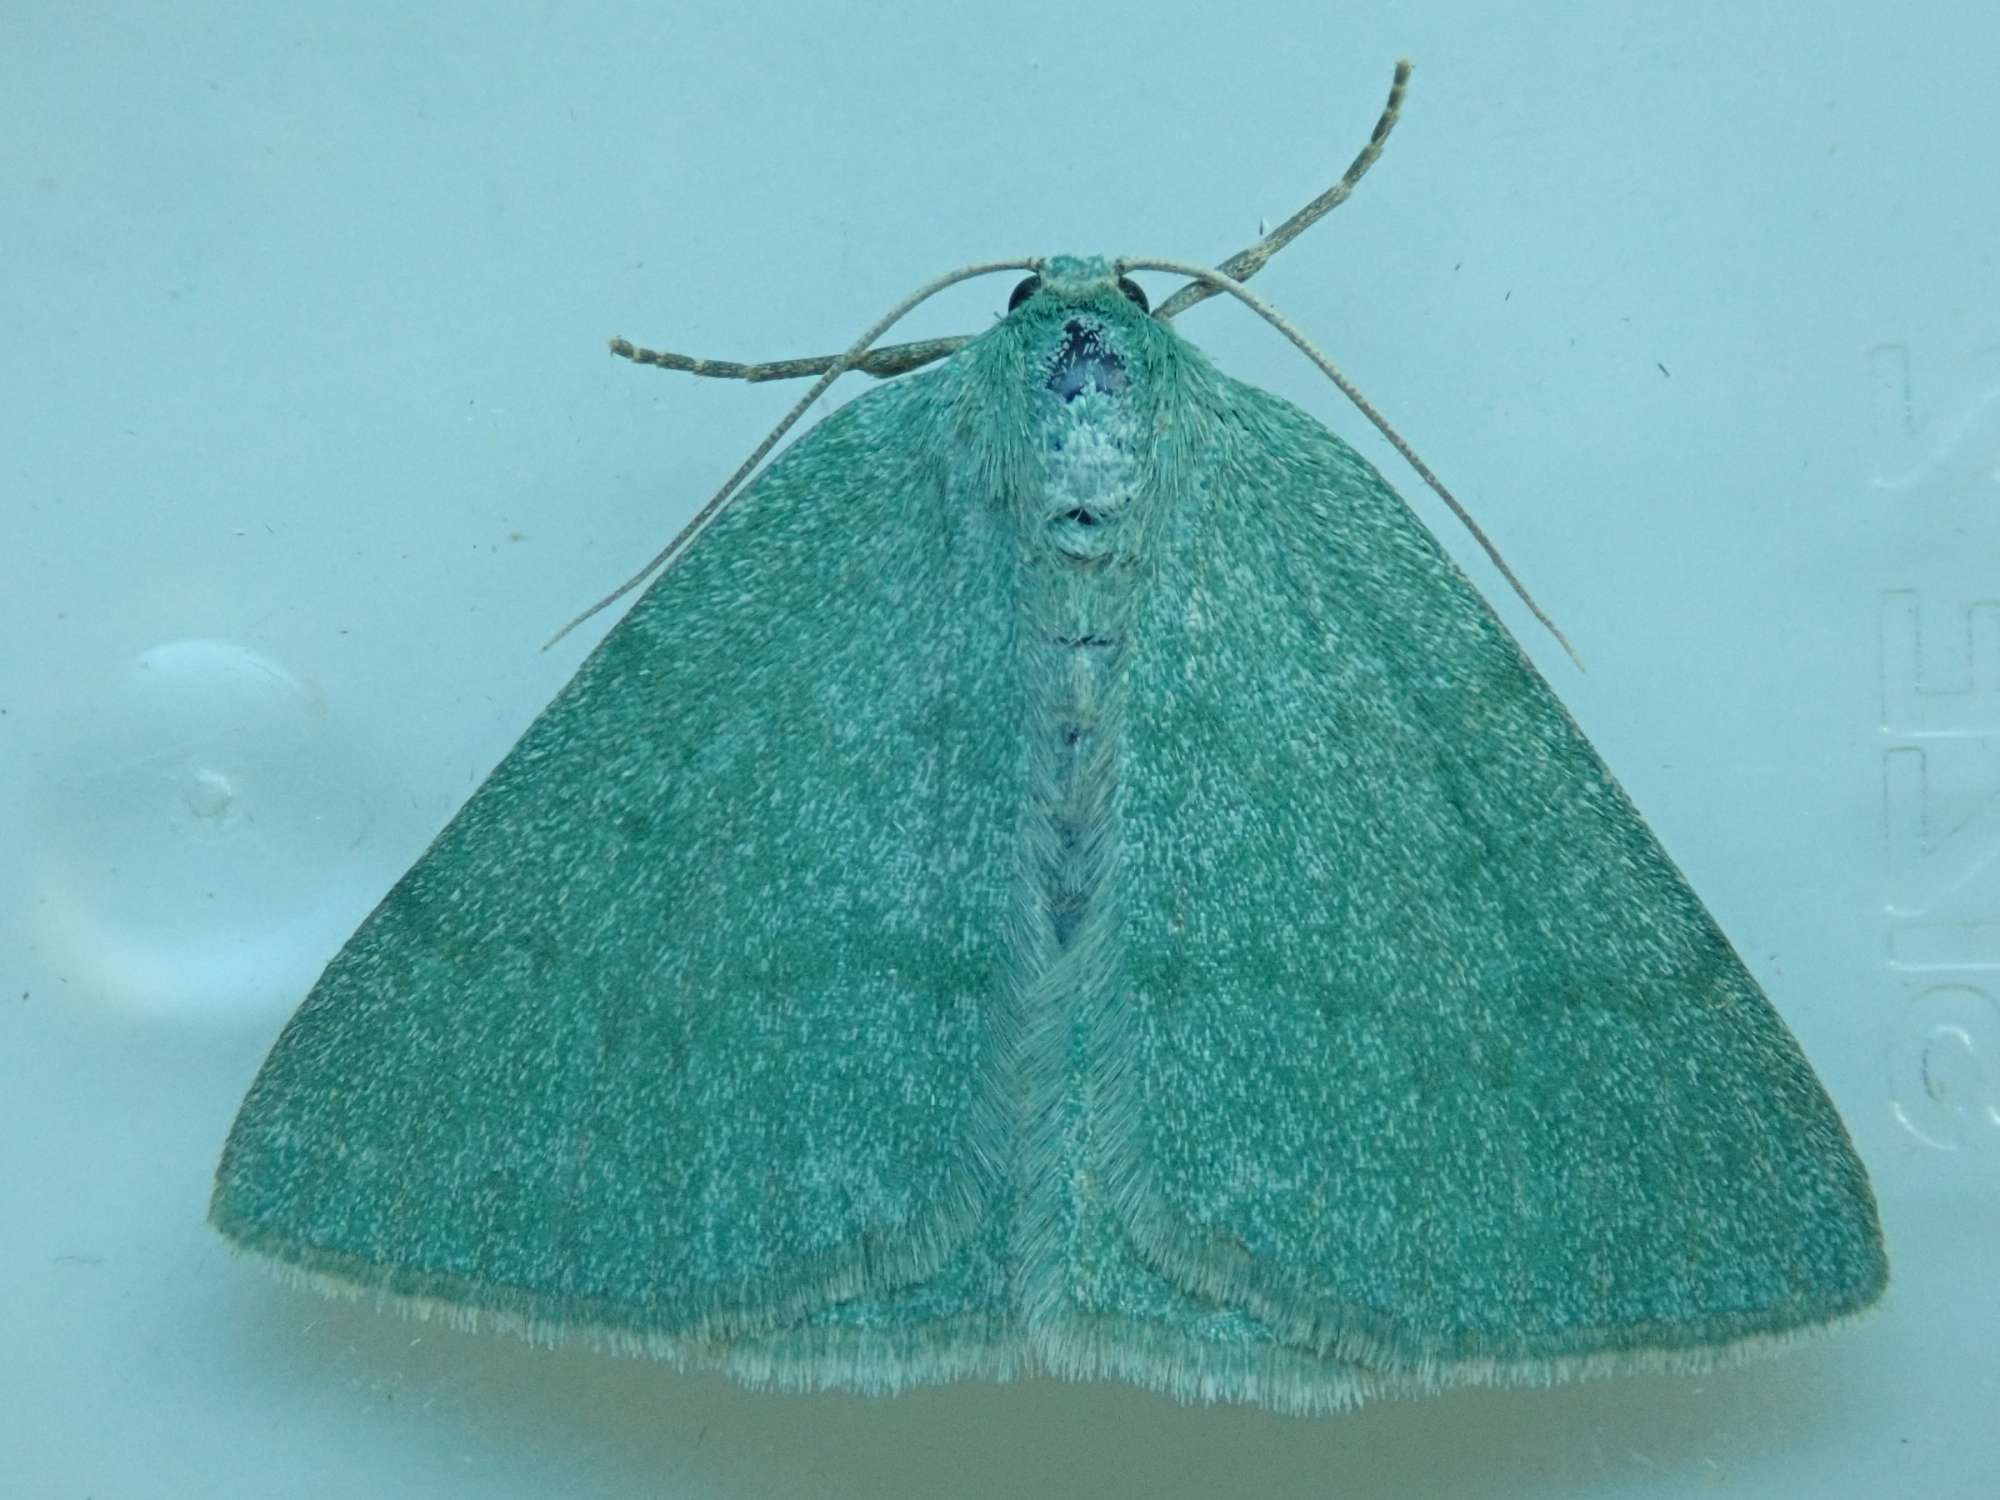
(193, 815)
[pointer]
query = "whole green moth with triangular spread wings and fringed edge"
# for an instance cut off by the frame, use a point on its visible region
(1061, 877)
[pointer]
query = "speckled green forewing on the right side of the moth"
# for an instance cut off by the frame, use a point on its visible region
(1443, 1071)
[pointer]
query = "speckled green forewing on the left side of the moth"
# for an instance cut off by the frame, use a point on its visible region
(679, 1027)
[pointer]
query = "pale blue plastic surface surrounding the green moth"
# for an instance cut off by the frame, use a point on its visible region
(309, 439)
